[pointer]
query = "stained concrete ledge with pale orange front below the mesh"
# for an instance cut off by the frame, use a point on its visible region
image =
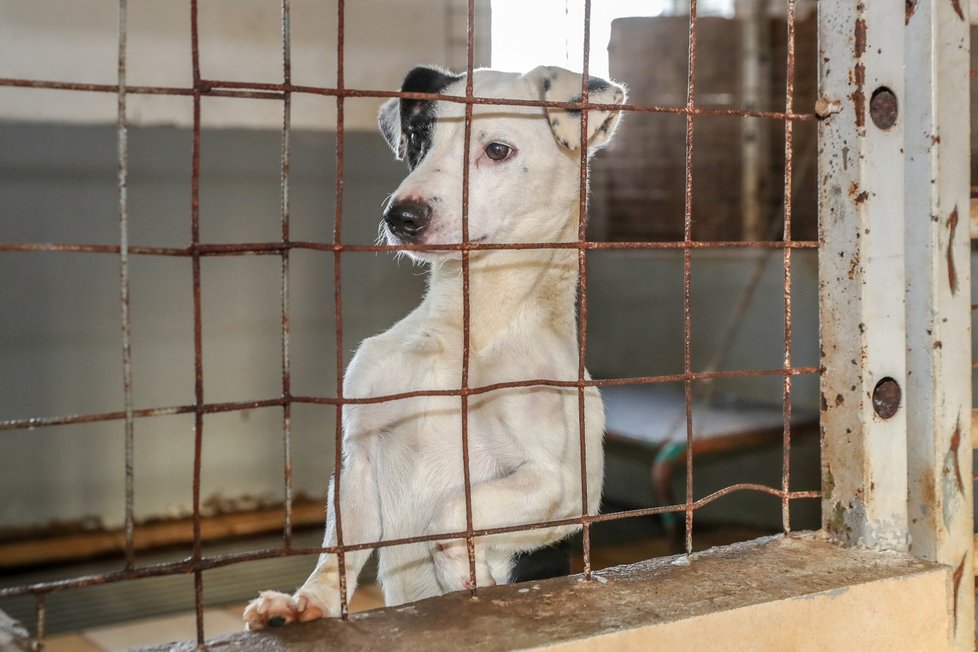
(779, 593)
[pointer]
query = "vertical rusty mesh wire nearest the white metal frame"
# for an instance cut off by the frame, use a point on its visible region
(789, 96)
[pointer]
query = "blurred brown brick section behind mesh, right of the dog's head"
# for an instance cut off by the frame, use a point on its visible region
(638, 185)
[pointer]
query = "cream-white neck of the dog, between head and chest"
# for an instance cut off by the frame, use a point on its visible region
(537, 287)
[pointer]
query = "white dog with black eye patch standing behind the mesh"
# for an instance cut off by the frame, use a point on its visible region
(402, 471)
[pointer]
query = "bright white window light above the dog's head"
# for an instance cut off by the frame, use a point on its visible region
(529, 33)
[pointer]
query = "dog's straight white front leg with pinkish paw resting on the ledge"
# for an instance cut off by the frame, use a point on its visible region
(319, 596)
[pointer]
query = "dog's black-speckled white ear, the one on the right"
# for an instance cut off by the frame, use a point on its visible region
(560, 85)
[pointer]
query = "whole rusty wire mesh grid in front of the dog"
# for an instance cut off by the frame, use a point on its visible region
(197, 563)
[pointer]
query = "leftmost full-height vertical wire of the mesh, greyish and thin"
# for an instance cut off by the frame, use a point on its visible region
(123, 155)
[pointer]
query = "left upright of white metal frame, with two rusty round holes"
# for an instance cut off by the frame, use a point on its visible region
(861, 275)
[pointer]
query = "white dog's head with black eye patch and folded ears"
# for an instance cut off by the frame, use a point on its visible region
(524, 161)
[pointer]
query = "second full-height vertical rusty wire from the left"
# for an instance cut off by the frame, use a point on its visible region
(198, 329)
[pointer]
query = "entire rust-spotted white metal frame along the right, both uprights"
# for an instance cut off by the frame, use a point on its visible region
(895, 283)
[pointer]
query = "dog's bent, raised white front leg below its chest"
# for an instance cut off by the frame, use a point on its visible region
(530, 494)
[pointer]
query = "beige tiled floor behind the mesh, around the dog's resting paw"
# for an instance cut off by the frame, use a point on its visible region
(177, 627)
